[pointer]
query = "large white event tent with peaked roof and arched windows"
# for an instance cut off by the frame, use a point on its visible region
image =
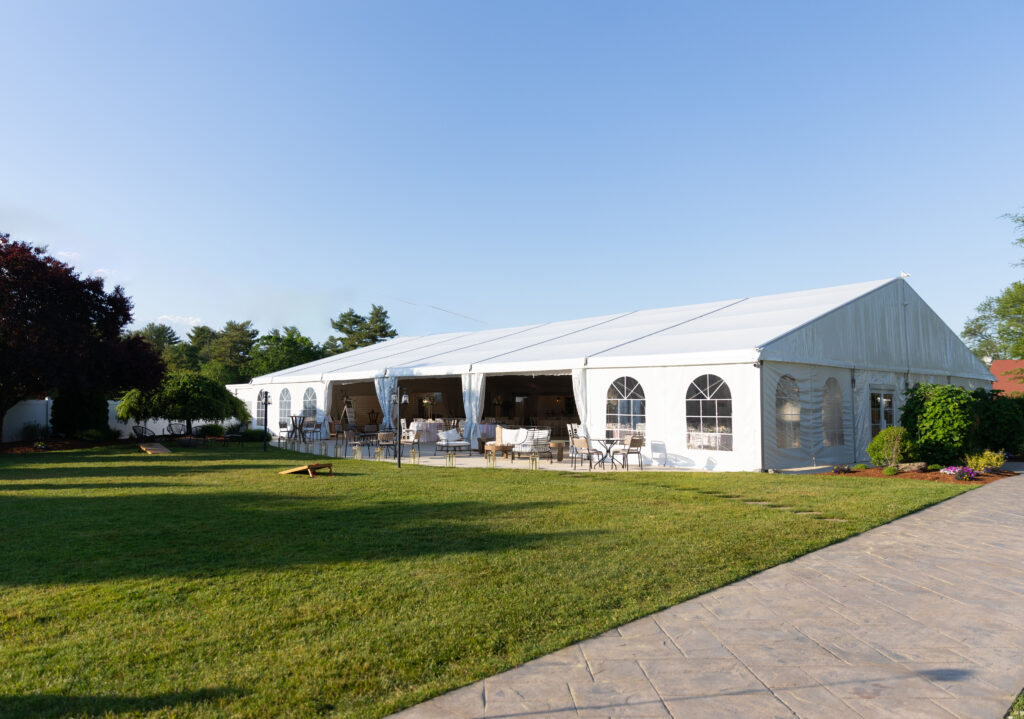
(779, 382)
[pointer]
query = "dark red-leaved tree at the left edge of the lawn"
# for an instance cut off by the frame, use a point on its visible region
(59, 330)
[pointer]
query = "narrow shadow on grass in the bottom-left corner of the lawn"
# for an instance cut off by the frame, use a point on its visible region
(72, 706)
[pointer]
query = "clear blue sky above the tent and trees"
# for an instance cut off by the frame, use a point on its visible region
(514, 162)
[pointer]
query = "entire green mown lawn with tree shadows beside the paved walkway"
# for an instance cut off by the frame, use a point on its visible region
(203, 584)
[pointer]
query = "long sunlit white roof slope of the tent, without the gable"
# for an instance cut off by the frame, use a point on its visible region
(739, 329)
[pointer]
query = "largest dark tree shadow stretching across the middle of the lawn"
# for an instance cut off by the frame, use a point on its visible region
(50, 540)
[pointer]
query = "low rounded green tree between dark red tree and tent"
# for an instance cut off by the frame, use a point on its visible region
(184, 396)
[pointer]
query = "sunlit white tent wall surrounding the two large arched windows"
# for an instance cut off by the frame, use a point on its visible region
(665, 391)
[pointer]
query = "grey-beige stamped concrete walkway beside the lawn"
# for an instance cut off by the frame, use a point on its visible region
(921, 618)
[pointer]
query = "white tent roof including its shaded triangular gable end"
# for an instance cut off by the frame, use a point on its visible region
(731, 331)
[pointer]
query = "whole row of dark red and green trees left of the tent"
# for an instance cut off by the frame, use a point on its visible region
(64, 335)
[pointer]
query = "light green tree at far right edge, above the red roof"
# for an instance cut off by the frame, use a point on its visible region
(997, 330)
